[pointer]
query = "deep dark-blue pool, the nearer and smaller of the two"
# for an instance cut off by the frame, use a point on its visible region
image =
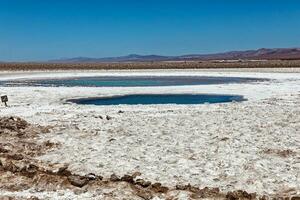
(146, 99)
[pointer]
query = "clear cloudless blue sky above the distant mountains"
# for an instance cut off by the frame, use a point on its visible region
(49, 29)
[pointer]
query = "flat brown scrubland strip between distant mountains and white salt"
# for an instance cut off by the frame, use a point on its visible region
(150, 65)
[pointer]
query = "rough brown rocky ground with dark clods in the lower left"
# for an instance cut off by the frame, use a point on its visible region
(24, 177)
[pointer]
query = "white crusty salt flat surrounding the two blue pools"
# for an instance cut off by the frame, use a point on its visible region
(251, 145)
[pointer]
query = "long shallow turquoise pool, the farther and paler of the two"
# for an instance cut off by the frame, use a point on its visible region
(129, 81)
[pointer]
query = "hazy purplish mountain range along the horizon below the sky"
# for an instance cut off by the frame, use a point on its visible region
(260, 54)
